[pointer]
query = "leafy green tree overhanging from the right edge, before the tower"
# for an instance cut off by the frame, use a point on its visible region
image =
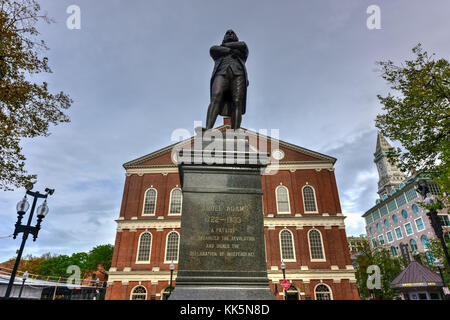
(418, 114)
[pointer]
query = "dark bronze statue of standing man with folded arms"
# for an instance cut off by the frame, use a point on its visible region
(229, 81)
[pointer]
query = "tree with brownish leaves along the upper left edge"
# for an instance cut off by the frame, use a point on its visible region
(27, 108)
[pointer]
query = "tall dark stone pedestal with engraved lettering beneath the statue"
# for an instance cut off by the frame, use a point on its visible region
(222, 251)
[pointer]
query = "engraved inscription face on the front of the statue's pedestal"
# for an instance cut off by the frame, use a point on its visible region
(223, 237)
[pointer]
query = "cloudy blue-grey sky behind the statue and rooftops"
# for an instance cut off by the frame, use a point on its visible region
(139, 69)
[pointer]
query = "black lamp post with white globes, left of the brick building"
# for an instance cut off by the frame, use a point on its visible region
(27, 229)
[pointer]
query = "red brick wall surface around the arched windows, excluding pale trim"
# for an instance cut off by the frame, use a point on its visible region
(324, 184)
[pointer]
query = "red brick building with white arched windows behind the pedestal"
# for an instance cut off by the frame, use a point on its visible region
(303, 226)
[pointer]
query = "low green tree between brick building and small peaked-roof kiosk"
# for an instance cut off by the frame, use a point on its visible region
(390, 268)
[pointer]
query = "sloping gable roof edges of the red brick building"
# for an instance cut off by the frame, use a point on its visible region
(322, 157)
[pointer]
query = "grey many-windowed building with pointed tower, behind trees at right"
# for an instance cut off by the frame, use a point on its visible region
(397, 217)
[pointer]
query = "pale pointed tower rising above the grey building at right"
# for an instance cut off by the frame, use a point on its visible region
(390, 175)
